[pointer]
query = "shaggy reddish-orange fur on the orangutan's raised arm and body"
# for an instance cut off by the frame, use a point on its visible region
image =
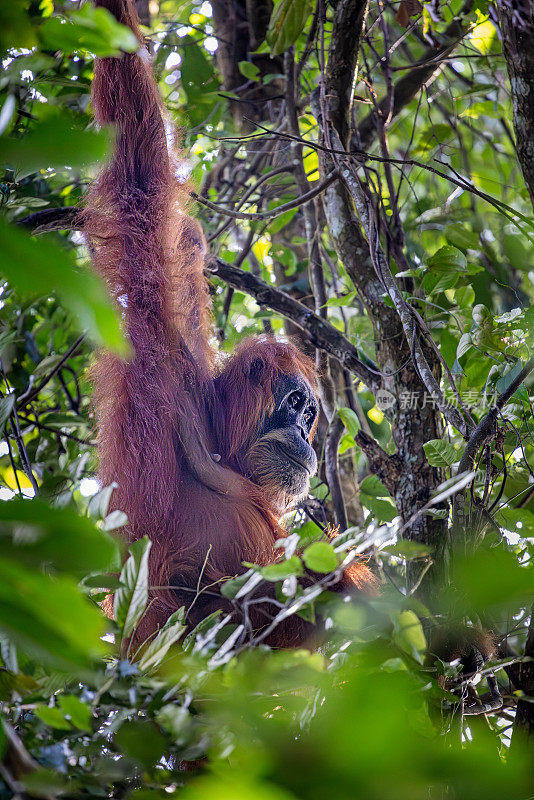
(163, 413)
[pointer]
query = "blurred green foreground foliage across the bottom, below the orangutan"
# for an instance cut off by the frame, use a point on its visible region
(286, 724)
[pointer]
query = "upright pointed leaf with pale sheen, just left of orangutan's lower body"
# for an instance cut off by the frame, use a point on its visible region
(130, 601)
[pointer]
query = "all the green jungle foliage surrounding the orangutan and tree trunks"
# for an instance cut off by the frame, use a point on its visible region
(367, 715)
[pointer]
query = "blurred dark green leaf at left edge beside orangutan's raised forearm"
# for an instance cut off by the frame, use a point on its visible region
(59, 139)
